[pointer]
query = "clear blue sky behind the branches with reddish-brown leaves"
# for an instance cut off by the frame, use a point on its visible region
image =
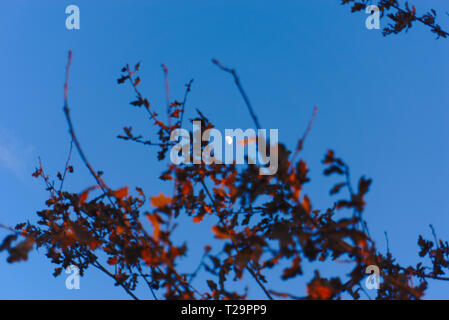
(382, 106)
